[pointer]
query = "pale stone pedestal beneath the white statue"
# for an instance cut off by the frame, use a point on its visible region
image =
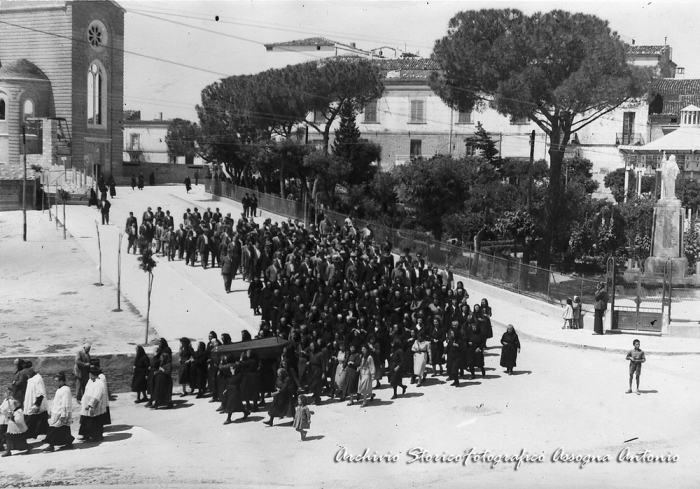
(667, 240)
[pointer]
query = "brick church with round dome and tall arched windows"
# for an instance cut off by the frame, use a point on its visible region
(63, 70)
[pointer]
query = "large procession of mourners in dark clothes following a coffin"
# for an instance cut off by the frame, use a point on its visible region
(353, 314)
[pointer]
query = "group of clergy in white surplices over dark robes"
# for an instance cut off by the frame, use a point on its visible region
(25, 413)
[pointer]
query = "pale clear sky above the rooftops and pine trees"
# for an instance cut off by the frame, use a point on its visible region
(176, 48)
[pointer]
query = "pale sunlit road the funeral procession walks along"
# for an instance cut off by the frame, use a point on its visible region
(560, 397)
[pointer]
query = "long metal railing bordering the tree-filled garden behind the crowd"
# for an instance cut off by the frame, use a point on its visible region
(504, 272)
